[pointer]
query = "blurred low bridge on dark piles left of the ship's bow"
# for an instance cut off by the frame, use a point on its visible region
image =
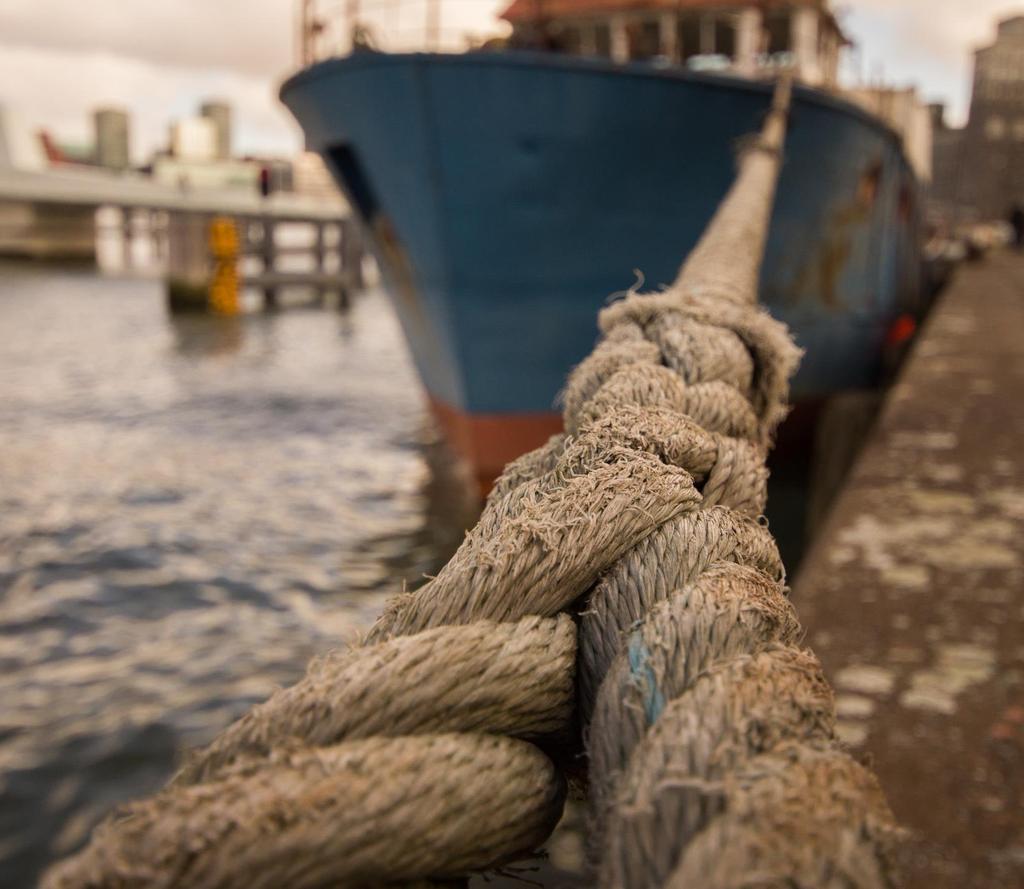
(51, 214)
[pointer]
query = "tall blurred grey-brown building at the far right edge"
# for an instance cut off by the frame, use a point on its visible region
(992, 180)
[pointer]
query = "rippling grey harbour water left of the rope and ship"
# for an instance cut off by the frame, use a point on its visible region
(190, 510)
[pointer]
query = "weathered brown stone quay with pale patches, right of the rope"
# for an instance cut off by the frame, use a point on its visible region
(914, 597)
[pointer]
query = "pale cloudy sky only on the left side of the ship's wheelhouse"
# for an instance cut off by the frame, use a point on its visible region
(159, 59)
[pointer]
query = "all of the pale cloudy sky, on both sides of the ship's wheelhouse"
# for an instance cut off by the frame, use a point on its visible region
(59, 59)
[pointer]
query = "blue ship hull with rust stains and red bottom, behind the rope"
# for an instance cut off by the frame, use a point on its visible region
(508, 196)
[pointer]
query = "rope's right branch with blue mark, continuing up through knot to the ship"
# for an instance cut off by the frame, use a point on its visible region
(710, 734)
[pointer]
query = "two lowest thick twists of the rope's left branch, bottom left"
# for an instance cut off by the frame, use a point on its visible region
(420, 738)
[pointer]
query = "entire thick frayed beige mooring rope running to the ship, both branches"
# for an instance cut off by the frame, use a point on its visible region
(702, 714)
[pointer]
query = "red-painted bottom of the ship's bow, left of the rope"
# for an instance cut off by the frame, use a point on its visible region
(489, 442)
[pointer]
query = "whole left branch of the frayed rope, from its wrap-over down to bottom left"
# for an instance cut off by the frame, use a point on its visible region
(436, 662)
